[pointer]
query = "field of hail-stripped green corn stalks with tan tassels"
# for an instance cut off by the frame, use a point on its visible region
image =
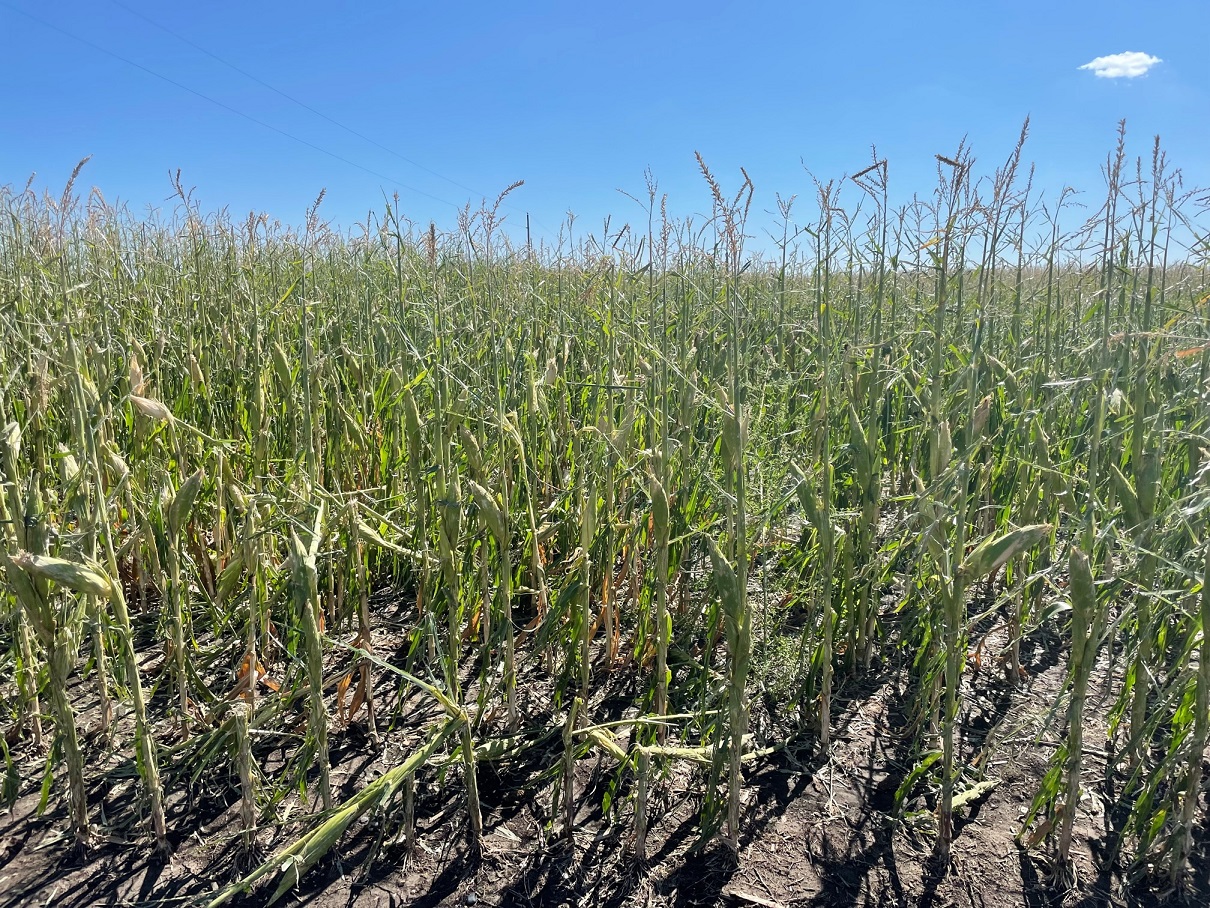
(272, 493)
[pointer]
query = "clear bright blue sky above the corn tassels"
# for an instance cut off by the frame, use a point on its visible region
(578, 100)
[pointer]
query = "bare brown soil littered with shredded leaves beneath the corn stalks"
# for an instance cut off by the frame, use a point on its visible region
(820, 830)
